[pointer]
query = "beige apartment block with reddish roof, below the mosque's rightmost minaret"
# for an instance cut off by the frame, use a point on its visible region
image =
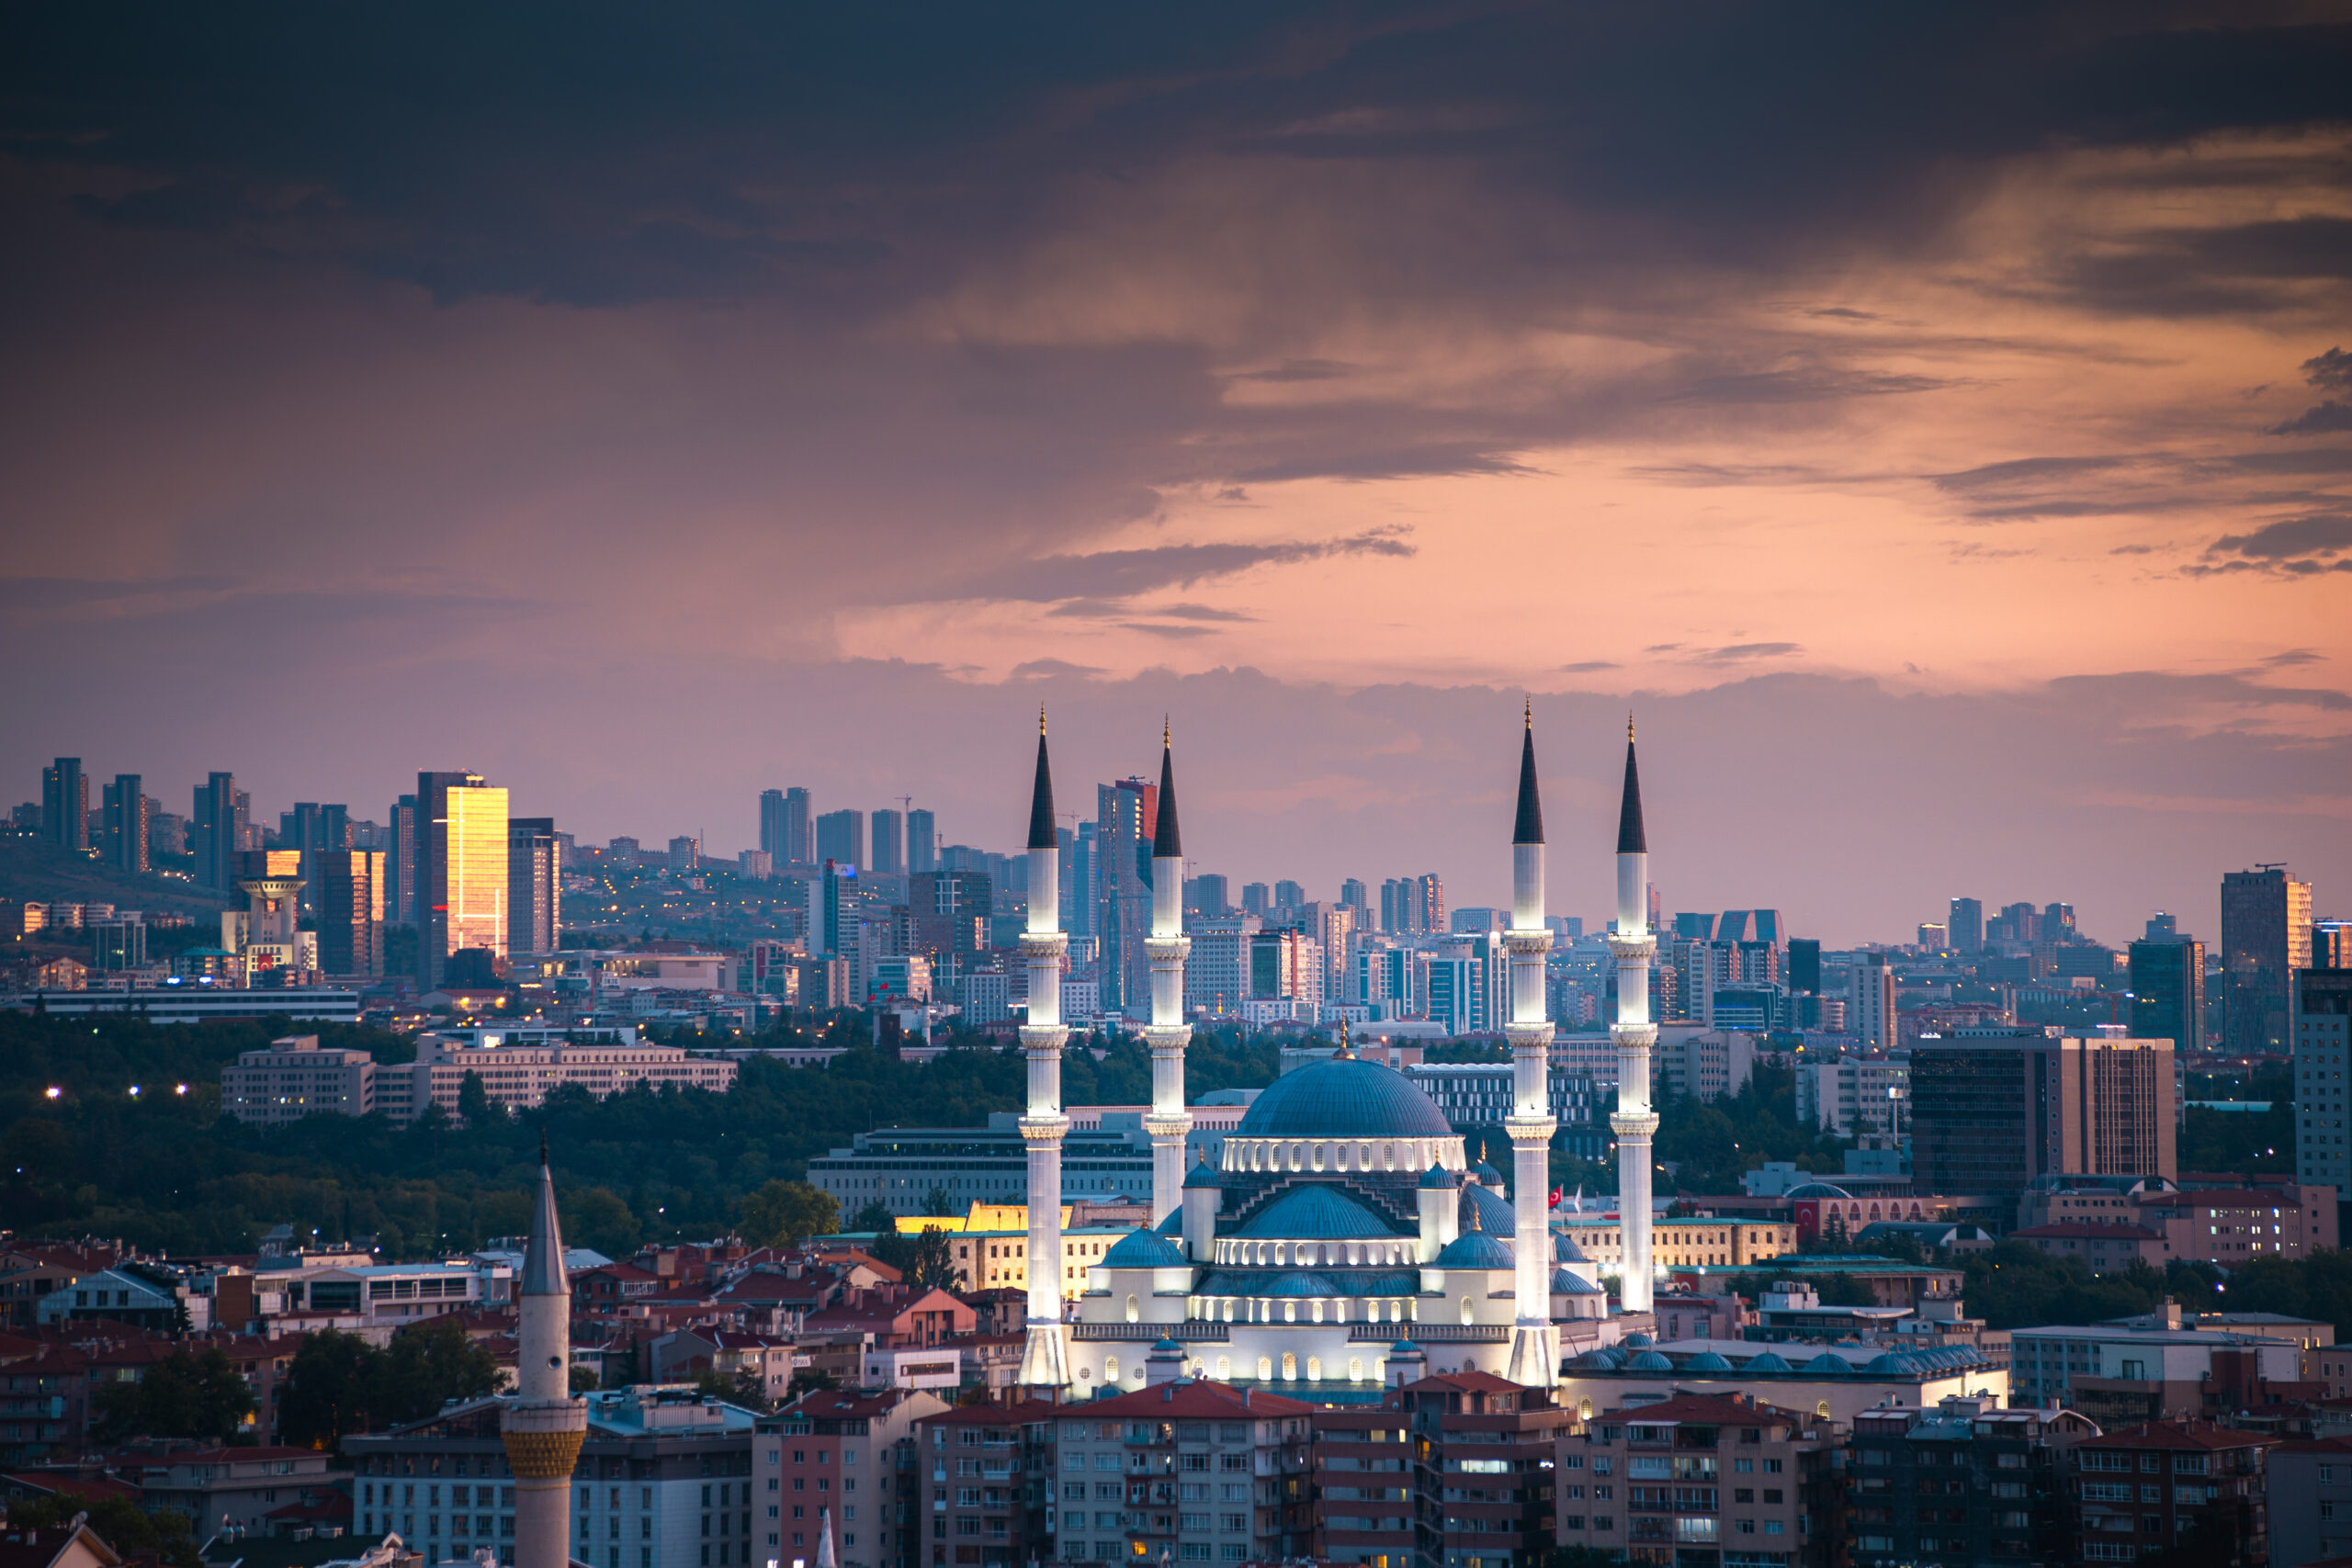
(1704, 1475)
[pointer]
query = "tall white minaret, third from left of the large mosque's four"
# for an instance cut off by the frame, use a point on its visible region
(1535, 1343)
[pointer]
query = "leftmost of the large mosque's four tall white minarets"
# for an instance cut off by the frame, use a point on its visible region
(1045, 1362)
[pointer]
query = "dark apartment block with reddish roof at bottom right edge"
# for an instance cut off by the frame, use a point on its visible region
(2170, 1485)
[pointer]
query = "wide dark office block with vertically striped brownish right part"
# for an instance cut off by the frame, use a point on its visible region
(2003, 1106)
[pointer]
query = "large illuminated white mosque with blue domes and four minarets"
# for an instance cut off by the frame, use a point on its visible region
(1347, 1238)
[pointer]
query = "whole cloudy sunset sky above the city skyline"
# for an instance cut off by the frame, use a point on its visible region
(1935, 422)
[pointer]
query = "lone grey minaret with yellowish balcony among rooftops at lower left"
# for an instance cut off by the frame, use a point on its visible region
(544, 1426)
